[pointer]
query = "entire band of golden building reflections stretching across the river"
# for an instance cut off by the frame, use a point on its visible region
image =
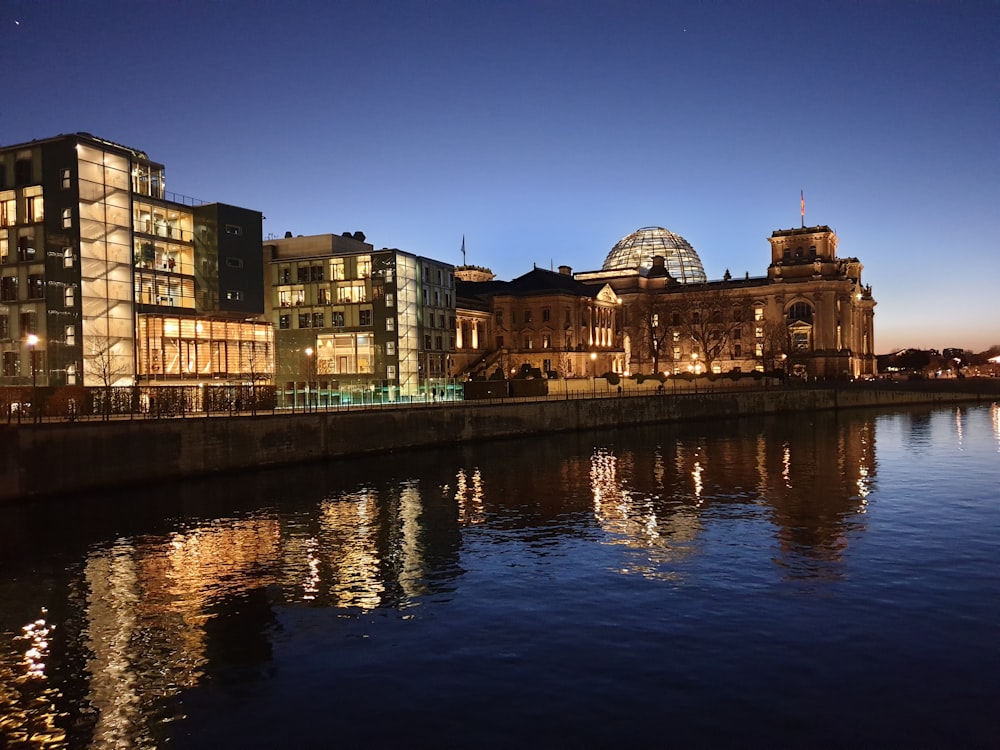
(151, 614)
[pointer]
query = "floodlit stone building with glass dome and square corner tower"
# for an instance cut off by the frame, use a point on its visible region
(810, 316)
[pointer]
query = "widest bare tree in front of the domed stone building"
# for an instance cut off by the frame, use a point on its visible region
(709, 317)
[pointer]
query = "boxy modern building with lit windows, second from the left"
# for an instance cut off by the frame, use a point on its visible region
(351, 321)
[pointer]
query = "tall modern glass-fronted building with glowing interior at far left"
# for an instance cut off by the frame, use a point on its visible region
(110, 280)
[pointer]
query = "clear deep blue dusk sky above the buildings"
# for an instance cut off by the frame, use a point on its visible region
(545, 131)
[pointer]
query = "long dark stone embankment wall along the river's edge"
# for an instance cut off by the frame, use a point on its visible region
(61, 458)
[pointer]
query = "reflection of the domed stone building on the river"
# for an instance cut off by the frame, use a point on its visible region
(809, 479)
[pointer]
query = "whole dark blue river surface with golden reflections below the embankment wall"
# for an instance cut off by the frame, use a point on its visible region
(455, 568)
